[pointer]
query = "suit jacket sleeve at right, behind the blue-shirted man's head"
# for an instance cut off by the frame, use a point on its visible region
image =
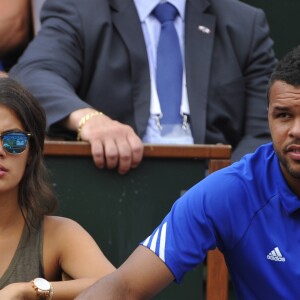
(261, 63)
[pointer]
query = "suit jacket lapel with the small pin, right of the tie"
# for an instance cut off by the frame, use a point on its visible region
(198, 54)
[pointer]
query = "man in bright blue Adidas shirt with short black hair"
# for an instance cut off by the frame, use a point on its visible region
(253, 216)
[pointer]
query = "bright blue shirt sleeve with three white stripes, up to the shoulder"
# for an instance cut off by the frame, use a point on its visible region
(216, 212)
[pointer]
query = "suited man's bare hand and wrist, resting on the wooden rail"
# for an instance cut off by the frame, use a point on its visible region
(113, 144)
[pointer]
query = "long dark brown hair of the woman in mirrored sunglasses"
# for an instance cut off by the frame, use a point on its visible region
(36, 198)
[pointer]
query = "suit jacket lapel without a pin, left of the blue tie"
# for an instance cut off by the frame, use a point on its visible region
(126, 20)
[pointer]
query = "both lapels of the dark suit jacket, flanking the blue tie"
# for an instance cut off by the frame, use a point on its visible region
(198, 54)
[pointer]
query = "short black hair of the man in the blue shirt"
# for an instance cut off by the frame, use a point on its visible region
(287, 70)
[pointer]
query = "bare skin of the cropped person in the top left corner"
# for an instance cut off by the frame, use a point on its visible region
(14, 24)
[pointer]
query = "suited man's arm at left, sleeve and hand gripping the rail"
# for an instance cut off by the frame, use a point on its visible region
(52, 69)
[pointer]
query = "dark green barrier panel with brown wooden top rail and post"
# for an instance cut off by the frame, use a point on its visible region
(121, 210)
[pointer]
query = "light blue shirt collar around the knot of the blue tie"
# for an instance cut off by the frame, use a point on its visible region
(145, 7)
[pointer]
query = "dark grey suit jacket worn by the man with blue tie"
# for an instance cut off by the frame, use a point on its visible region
(92, 53)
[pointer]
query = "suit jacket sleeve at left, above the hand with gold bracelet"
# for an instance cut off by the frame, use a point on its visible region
(54, 79)
